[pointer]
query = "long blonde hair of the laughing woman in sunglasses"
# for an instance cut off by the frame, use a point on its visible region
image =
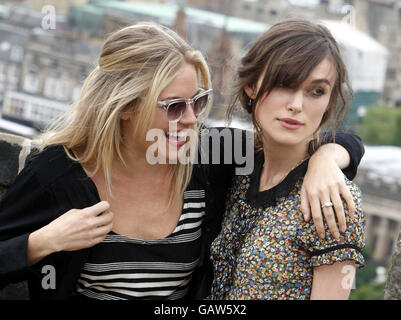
(136, 63)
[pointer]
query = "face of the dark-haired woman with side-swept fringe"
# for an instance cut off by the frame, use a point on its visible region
(291, 116)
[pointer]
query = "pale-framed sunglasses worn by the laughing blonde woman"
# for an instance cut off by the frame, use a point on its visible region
(176, 108)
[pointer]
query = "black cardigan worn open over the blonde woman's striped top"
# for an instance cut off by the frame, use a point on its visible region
(51, 184)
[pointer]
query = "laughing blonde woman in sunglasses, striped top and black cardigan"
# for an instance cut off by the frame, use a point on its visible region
(90, 216)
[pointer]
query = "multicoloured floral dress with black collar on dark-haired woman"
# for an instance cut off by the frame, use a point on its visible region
(266, 250)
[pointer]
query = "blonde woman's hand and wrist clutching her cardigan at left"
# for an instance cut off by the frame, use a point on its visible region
(76, 229)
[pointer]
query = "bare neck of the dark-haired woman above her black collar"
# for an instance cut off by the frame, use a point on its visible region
(279, 161)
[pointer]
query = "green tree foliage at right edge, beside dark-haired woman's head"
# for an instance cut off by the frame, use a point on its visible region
(381, 126)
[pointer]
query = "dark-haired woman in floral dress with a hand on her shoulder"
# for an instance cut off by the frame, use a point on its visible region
(291, 81)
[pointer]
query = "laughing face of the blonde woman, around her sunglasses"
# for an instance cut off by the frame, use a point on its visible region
(171, 137)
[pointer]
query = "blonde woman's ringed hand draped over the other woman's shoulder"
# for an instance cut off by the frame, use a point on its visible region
(324, 182)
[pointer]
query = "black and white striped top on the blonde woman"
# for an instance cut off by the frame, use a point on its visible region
(124, 268)
